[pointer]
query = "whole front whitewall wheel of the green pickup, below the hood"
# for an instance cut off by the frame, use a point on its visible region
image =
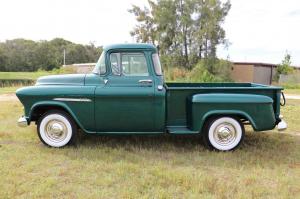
(56, 129)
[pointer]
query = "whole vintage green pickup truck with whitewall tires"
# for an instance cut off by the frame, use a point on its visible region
(126, 94)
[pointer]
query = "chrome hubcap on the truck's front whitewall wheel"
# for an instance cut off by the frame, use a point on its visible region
(56, 130)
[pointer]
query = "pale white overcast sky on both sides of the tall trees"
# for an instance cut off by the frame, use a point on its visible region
(258, 30)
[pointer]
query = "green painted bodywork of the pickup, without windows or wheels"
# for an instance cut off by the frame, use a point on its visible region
(110, 103)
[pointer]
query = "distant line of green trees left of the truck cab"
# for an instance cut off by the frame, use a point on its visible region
(27, 55)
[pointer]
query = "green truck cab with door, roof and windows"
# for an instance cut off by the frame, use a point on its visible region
(131, 82)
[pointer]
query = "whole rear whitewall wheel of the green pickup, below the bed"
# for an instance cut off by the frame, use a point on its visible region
(223, 133)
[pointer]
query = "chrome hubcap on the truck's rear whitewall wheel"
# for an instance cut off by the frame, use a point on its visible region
(225, 134)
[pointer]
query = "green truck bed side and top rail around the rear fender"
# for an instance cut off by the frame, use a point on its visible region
(179, 93)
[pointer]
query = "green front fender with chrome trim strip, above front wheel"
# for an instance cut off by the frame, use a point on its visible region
(77, 100)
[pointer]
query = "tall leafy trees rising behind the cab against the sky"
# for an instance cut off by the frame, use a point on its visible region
(185, 30)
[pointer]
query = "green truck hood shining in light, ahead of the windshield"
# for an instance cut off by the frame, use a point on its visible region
(74, 79)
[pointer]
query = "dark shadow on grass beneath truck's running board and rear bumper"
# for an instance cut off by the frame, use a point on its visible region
(252, 140)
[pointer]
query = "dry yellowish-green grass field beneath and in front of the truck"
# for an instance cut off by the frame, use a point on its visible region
(266, 166)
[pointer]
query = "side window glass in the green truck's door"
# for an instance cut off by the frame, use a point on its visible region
(129, 64)
